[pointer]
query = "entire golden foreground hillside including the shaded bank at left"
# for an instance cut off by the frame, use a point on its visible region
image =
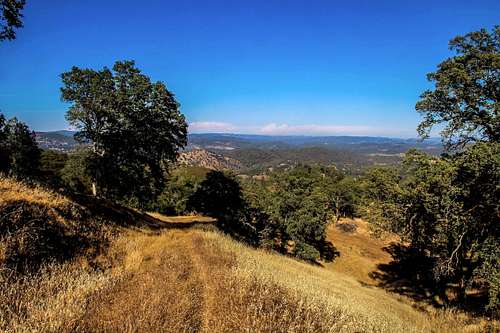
(180, 274)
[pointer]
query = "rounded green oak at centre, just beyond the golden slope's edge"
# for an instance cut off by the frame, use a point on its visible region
(291, 211)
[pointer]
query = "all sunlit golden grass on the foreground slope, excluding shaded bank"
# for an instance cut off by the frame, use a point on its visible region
(192, 278)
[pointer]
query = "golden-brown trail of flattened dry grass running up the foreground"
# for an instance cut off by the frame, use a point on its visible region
(162, 289)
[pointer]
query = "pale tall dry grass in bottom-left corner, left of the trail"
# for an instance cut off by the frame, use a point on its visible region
(53, 300)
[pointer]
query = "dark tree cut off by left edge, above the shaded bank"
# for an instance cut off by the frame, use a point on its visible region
(19, 153)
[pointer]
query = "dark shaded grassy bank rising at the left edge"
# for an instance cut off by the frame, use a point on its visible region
(38, 226)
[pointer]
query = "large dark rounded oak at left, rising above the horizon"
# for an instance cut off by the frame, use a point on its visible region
(134, 128)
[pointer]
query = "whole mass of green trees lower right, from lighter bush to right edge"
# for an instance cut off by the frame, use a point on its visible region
(446, 210)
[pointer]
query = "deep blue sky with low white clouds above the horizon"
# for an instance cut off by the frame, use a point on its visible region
(317, 67)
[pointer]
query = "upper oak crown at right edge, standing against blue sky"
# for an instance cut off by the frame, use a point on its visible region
(466, 94)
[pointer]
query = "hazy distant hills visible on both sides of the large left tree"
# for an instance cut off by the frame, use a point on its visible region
(255, 153)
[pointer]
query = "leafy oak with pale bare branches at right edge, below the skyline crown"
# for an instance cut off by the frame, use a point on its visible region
(451, 212)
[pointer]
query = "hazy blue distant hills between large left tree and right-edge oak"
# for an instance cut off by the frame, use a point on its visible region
(349, 153)
